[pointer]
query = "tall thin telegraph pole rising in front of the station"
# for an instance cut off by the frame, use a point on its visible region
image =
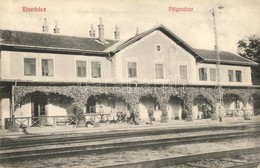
(219, 87)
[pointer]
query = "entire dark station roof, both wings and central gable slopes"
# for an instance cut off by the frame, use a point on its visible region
(41, 42)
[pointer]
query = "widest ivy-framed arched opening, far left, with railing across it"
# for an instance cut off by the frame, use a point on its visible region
(43, 109)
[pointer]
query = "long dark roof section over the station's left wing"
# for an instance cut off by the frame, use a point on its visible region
(9, 37)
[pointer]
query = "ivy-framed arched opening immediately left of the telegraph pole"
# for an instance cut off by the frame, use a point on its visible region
(202, 108)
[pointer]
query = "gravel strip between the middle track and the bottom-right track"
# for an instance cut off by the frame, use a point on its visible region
(81, 161)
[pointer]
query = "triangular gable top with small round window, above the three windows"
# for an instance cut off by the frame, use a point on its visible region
(147, 49)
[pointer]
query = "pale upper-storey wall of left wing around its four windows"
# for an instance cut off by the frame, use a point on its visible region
(64, 67)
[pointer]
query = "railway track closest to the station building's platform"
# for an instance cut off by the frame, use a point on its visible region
(39, 140)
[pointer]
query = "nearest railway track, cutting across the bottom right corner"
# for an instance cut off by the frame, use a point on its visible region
(200, 160)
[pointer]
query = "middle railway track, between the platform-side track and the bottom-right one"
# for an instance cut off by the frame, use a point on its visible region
(121, 146)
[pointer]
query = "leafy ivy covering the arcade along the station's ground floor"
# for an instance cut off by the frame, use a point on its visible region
(131, 95)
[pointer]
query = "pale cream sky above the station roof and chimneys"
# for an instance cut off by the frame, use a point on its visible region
(238, 18)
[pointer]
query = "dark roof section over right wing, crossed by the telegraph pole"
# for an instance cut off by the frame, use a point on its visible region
(209, 56)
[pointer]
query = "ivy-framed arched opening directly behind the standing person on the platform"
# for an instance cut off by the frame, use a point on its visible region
(145, 103)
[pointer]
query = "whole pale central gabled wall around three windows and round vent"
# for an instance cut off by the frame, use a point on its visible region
(145, 54)
